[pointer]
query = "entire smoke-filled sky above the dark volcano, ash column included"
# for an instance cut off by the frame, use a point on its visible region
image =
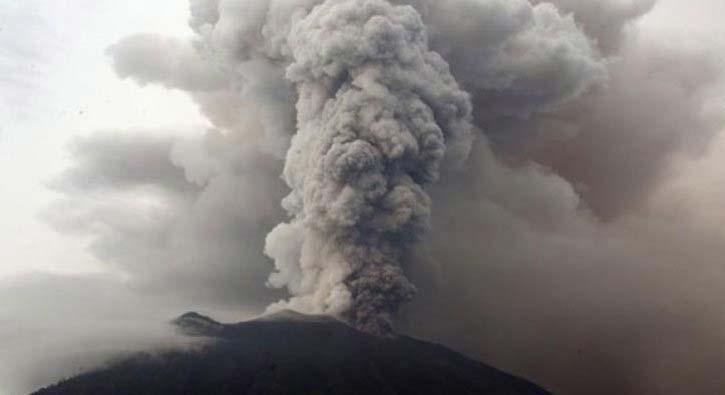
(575, 239)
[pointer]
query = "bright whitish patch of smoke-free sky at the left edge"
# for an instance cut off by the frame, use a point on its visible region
(57, 83)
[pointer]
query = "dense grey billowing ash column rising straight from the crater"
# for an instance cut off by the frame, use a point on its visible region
(377, 114)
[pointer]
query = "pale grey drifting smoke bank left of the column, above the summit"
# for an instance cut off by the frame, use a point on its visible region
(160, 208)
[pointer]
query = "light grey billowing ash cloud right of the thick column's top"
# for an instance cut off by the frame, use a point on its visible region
(514, 58)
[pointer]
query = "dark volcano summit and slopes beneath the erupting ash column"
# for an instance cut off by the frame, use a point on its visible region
(291, 353)
